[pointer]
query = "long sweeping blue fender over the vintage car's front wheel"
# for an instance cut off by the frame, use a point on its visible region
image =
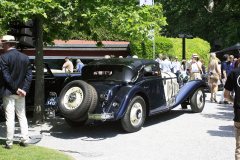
(187, 90)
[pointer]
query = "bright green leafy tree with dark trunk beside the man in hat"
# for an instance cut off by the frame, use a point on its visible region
(57, 19)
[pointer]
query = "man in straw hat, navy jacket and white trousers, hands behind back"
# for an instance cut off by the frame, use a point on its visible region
(15, 81)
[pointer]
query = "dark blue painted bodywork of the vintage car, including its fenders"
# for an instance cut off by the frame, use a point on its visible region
(155, 97)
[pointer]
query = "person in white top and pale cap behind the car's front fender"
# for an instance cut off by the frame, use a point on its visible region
(195, 68)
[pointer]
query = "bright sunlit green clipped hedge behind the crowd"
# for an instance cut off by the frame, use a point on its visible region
(171, 47)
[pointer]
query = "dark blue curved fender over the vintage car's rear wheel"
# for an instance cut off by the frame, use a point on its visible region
(124, 97)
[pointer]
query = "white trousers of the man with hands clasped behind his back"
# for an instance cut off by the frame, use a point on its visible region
(12, 104)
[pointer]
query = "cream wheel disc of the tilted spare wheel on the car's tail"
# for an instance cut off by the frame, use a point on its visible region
(73, 98)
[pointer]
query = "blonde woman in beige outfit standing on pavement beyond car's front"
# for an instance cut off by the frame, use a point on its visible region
(214, 70)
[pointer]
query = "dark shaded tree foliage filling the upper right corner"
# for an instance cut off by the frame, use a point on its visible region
(206, 19)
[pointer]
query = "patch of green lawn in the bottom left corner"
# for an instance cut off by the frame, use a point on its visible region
(32, 152)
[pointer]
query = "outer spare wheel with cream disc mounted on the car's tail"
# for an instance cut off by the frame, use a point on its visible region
(75, 99)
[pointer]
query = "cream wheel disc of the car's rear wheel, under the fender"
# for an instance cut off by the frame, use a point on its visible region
(136, 114)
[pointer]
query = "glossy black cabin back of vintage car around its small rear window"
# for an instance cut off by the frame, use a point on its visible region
(108, 72)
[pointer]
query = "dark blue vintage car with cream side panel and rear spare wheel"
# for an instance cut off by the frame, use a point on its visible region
(126, 89)
